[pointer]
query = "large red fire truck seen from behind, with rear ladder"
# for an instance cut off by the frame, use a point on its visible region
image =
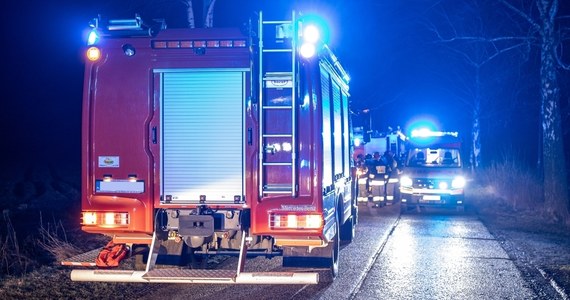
(214, 141)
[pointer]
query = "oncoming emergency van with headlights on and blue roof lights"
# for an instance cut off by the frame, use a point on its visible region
(433, 173)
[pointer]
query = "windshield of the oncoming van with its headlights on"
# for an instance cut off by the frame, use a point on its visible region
(438, 157)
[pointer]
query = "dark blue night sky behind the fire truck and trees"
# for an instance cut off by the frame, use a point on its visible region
(397, 69)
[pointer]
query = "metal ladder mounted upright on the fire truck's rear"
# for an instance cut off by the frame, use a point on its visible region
(277, 98)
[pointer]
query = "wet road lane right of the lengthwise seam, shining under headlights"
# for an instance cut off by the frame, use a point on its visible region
(435, 255)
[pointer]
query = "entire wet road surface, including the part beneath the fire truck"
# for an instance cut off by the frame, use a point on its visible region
(428, 255)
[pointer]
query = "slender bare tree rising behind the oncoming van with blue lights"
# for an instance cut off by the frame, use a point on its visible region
(464, 30)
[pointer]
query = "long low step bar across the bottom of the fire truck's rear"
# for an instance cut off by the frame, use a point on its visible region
(195, 276)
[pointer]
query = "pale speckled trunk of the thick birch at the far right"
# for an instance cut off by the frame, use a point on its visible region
(555, 184)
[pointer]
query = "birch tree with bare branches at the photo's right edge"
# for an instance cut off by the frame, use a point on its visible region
(543, 25)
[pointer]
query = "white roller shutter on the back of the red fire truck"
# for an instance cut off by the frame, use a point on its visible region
(202, 136)
